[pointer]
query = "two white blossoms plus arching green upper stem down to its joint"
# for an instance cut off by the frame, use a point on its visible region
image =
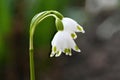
(63, 40)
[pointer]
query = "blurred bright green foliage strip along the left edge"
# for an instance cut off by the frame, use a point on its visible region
(5, 26)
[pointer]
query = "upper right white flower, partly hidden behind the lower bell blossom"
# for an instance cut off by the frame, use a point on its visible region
(72, 26)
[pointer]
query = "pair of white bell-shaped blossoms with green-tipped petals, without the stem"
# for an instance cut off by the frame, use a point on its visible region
(63, 40)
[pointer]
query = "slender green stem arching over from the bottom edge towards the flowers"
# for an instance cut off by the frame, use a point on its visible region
(36, 19)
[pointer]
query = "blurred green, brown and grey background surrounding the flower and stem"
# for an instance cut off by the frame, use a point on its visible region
(100, 45)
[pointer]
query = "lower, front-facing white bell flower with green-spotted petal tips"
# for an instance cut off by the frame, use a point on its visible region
(63, 42)
